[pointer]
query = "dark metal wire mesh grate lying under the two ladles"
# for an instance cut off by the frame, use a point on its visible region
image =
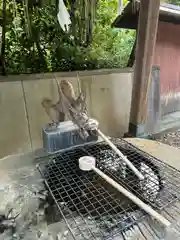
(92, 208)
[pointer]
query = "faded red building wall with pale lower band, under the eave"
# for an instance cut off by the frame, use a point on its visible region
(167, 57)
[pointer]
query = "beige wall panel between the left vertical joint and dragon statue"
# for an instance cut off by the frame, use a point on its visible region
(35, 91)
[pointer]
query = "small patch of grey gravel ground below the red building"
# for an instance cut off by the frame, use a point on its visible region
(171, 138)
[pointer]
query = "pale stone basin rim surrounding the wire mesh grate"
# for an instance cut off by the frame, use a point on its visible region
(23, 198)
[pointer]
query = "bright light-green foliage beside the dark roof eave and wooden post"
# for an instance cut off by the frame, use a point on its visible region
(111, 47)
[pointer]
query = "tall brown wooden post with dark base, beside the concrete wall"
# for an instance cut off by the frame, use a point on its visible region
(146, 39)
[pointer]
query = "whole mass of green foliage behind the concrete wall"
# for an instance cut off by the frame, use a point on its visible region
(42, 46)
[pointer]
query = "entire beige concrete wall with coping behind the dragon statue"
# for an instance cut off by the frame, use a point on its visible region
(22, 117)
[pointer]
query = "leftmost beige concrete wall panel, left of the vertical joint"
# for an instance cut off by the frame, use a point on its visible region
(14, 135)
